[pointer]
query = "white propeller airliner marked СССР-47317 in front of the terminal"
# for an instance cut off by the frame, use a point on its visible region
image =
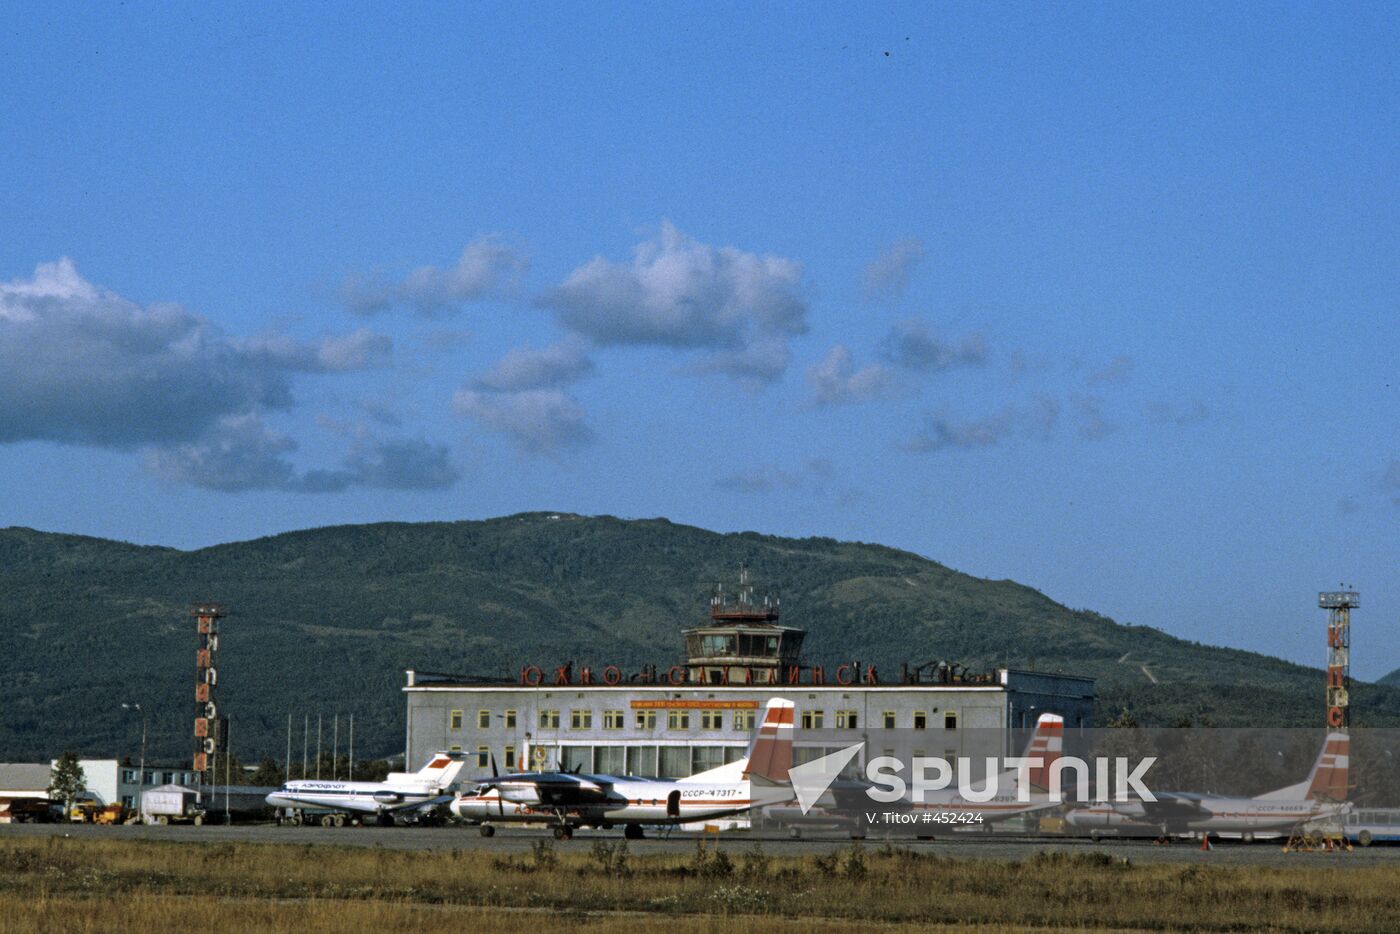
(569, 800)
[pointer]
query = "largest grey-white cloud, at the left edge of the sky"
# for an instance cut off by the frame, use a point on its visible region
(82, 365)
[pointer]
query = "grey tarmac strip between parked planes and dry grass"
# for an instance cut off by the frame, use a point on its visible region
(514, 841)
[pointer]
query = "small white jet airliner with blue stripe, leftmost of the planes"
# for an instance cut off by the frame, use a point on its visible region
(400, 792)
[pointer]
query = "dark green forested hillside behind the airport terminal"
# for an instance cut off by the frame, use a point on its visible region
(325, 621)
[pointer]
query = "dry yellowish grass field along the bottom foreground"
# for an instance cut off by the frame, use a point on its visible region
(106, 886)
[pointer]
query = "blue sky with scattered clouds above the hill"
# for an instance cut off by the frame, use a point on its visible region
(1100, 299)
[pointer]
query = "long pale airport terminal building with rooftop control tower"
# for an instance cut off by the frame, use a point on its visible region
(699, 715)
